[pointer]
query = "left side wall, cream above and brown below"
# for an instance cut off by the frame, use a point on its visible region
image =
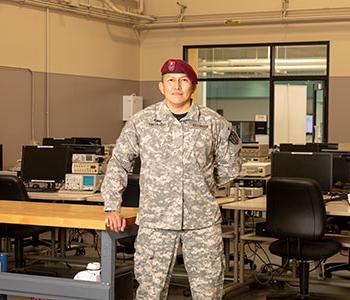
(62, 75)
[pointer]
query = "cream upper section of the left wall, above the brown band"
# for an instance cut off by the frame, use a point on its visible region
(46, 40)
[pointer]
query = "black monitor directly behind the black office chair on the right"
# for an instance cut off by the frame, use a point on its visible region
(315, 165)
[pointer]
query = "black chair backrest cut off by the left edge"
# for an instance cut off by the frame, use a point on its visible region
(12, 188)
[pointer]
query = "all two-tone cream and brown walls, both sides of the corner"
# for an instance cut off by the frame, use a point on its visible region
(74, 70)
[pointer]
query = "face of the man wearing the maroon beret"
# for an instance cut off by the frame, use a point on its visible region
(177, 89)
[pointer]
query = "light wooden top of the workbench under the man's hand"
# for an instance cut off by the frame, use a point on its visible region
(58, 214)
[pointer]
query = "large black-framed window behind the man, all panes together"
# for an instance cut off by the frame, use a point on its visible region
(239, 82)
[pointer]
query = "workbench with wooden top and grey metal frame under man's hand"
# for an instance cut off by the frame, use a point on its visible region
(67, 216)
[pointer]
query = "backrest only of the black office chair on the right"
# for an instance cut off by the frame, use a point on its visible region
(295, 208)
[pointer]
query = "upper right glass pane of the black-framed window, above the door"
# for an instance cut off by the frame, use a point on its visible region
(300, 60)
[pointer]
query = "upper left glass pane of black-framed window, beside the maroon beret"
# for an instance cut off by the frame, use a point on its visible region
(231, 62)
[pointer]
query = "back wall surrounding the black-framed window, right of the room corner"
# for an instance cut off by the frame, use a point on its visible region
(158, 45)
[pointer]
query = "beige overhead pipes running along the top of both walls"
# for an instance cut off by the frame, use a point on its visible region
(113, 14)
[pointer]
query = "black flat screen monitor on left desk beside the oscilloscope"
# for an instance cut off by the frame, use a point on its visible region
(44, 163)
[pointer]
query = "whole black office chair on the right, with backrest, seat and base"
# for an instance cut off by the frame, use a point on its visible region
(296, 216)
